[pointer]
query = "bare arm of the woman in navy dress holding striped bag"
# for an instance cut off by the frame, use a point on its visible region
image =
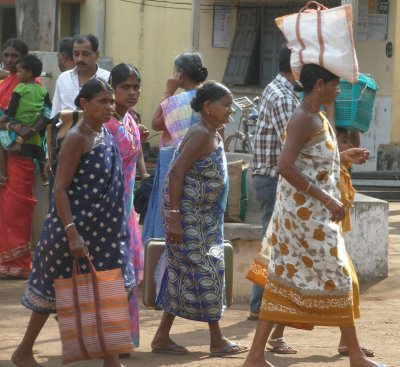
(72, 148)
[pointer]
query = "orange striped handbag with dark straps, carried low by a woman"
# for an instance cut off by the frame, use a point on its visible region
(93, 314)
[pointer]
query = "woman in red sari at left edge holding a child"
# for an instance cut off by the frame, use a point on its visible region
(17, 178)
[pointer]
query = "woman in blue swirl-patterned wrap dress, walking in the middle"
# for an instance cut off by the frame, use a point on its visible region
(193, 202)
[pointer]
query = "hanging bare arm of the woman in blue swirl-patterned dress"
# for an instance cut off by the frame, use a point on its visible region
(198, 143)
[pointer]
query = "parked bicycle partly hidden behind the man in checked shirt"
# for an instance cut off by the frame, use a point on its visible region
(242, 141)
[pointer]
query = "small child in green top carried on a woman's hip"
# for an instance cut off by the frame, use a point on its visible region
(28, 103)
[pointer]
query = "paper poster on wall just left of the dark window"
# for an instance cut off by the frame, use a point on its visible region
(222, 23)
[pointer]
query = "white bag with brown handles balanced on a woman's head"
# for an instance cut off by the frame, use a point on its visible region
(321, 36)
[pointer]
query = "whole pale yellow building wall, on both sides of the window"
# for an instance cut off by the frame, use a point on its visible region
(148, 37)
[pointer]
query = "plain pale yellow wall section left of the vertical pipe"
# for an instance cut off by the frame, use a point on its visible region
(143, 35)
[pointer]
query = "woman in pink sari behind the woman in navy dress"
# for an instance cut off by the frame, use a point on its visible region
(125, 80)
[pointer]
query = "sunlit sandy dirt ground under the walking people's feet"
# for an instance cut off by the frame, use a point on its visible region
(379, 328)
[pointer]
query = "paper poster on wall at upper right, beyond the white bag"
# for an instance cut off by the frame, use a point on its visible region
(372, 20)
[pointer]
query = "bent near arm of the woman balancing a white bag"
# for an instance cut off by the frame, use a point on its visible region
(301, 126)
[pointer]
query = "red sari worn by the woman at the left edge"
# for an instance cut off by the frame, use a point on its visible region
(17, 204)
